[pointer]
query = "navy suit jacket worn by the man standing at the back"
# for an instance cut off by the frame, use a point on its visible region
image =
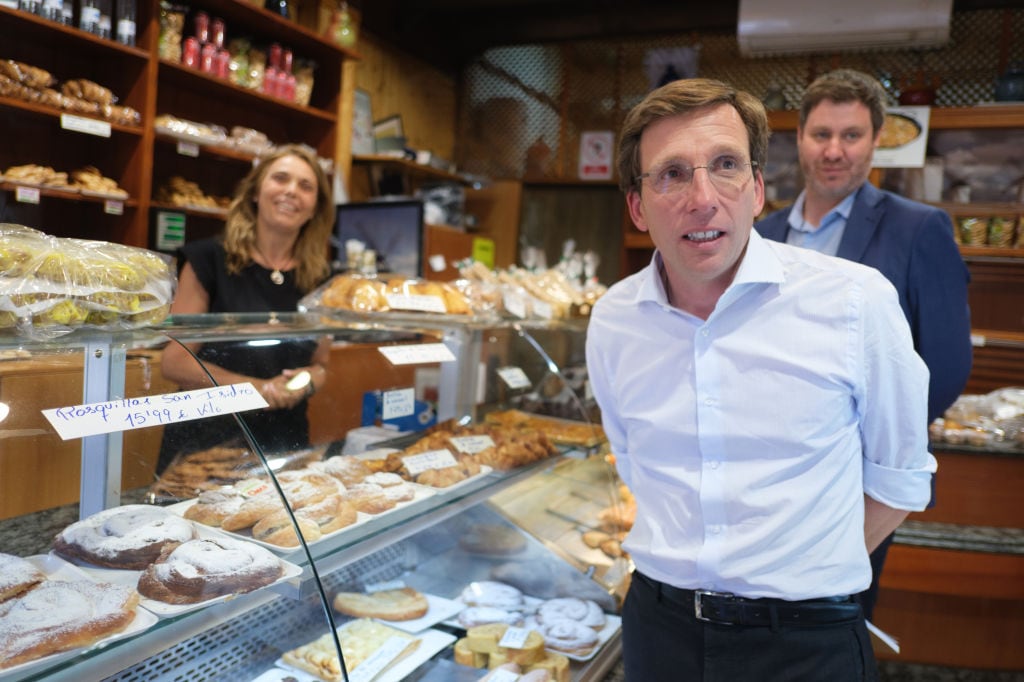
(913, 245)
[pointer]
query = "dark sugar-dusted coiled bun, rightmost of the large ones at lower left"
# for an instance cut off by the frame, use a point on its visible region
(206, 569)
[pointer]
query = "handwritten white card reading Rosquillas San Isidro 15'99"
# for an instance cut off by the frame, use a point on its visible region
(127, 414)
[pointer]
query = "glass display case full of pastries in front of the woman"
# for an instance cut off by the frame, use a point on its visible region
(454, 476)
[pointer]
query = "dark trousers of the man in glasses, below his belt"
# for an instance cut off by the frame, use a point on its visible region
(663, 642)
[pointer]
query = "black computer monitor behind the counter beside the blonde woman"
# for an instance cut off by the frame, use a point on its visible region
(392, 228)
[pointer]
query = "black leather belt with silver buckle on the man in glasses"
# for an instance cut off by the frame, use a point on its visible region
(726, 609)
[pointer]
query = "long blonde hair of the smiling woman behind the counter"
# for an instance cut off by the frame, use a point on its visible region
(312, 247)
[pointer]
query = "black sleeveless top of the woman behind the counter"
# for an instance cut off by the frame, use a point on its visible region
(249, 291)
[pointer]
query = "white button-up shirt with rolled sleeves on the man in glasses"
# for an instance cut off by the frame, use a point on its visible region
(750, 439)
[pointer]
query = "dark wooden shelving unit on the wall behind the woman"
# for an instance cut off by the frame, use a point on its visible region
(138, 157)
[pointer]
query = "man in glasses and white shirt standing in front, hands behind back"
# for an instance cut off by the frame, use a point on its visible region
(765, 406)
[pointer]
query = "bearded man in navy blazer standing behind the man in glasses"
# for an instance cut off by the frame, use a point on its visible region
(842, 215)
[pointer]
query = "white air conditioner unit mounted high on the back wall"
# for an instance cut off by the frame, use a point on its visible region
(795, 27)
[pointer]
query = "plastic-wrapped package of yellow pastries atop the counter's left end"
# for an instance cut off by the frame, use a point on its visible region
(51, 286)
